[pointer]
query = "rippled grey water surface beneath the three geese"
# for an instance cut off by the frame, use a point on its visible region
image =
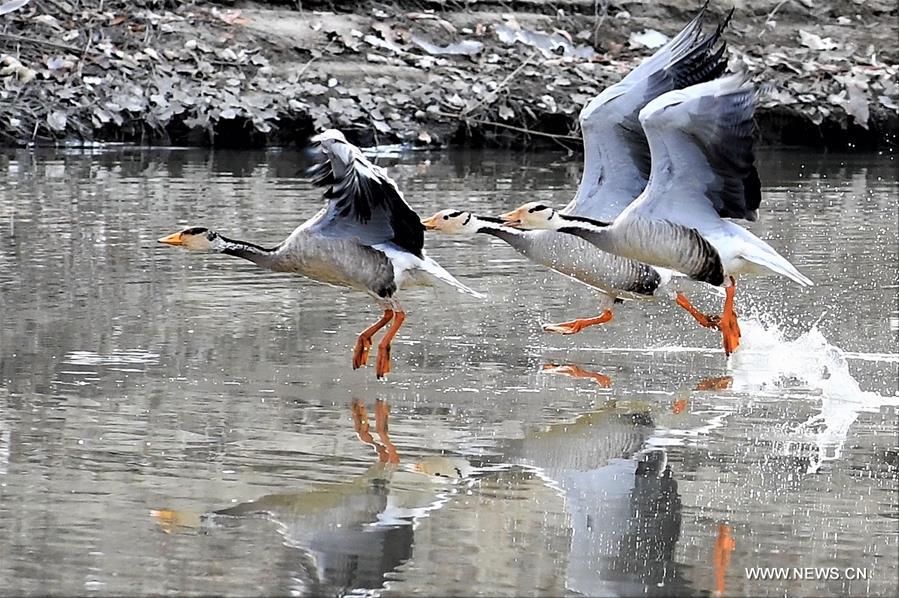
(176, 422)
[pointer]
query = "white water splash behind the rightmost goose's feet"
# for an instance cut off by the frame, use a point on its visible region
(768, 359)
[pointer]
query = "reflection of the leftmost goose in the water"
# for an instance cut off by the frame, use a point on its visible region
(348, 535)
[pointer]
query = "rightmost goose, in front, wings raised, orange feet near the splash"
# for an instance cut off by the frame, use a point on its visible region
(702, 172)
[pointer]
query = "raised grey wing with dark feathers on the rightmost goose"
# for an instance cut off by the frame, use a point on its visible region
(703, 163)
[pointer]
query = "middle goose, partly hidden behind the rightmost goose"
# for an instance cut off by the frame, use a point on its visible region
(616, 169)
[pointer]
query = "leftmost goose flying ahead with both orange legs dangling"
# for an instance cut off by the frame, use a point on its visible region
(366, 238)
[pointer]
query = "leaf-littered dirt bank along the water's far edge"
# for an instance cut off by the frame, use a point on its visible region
(486, 72)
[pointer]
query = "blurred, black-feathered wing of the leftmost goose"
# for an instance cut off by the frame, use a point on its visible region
(363, 203)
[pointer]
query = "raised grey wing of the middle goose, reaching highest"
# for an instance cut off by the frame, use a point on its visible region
(616, 154)
